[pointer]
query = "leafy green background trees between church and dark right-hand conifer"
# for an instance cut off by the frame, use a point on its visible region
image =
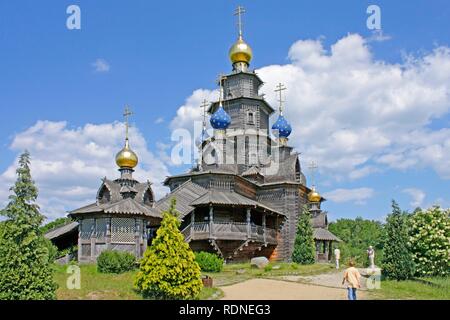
(357, 235)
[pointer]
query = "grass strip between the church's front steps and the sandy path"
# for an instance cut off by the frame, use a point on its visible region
(235, 273)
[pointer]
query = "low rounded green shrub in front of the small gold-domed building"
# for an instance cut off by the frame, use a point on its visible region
(111, 261)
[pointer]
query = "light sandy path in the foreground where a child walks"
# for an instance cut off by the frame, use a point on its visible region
(320, 287)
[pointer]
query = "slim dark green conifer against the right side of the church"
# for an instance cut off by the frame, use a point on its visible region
(304, 247)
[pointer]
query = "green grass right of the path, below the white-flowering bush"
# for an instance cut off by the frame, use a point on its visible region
(439, 289)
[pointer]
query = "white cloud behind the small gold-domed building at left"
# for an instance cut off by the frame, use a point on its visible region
(68, 163)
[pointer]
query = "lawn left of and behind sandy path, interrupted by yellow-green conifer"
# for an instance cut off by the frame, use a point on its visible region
(98, 286)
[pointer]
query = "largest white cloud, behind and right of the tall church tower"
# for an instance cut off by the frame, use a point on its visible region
(355, 115)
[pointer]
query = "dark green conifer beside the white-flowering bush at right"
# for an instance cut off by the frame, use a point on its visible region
(398, 260)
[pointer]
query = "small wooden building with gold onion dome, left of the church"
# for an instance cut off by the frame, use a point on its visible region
(123, 216)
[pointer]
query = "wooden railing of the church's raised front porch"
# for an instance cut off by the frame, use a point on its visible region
(229, 231)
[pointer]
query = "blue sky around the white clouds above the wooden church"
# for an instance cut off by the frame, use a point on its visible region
(160, 53)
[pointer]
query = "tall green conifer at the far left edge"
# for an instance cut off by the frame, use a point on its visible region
(25, 268)
